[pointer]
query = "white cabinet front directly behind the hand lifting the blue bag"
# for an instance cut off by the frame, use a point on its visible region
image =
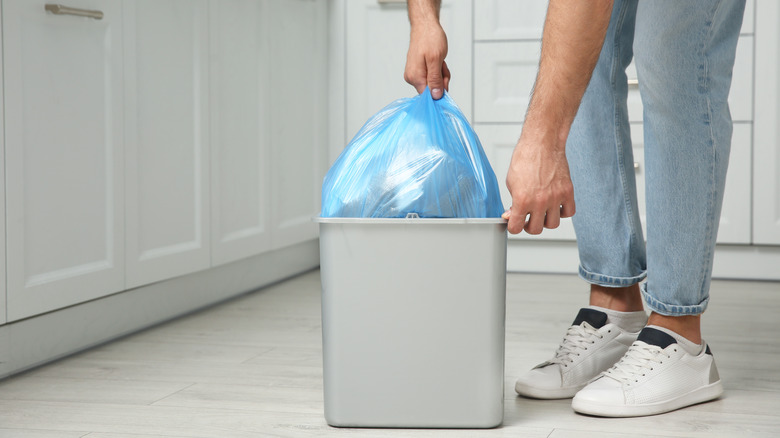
(377, 39)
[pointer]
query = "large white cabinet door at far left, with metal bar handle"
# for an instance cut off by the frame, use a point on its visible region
(64, 182)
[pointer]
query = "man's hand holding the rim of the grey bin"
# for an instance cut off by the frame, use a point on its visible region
(541, 188)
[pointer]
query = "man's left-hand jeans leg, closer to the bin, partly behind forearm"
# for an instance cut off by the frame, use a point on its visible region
(609, 234)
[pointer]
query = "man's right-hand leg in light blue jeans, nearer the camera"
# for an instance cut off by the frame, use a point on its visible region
(684, 55)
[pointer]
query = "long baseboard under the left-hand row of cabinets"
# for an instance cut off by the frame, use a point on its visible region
(31, 342)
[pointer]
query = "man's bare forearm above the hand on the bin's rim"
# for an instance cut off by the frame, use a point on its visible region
(573, 36)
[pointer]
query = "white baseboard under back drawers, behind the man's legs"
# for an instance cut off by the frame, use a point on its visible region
(737, 262)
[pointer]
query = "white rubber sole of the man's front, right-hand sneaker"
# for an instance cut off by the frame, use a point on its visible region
(701, 395)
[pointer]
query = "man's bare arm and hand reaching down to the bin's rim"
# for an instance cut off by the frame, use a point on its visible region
(538, 176)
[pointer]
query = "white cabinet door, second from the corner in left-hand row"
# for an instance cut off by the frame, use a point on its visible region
(240, 156)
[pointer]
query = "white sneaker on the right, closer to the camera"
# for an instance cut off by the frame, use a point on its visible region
(656, 375)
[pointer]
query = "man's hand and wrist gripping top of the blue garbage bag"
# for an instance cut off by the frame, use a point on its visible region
(427, 49)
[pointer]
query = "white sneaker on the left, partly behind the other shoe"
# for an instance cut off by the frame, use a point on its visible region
(590, 346)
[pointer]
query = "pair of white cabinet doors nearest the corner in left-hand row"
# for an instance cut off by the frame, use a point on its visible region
(269, 126)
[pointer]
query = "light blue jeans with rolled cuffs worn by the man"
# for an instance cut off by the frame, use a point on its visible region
(684, 54)
